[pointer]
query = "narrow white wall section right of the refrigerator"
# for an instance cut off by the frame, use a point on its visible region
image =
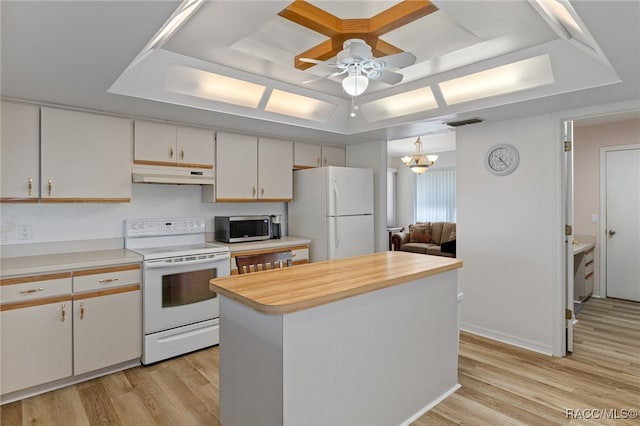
(373, 155)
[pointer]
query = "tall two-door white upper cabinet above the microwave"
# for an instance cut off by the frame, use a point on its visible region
(252, 169)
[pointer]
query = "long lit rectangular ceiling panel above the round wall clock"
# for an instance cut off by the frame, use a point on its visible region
(521, 75)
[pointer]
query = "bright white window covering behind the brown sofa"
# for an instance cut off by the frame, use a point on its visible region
(436, 196)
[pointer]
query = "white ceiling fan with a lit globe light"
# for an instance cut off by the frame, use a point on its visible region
(359, 65)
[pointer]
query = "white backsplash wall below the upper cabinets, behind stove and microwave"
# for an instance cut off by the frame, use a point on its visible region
(85, 221)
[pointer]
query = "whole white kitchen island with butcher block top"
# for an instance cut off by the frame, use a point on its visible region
(364, 340)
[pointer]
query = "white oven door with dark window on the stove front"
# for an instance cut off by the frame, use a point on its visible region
(177, 293)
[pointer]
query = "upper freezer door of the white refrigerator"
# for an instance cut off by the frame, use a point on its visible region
(350, 191)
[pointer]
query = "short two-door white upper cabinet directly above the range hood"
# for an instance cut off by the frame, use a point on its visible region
(170, 145)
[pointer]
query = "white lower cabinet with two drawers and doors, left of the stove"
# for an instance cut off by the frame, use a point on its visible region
(59, 325)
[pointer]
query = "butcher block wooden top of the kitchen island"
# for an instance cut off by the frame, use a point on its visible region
(300, 287)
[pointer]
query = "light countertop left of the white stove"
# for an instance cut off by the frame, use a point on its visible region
(31, 265)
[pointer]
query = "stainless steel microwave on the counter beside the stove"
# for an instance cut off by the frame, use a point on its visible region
(236, 229)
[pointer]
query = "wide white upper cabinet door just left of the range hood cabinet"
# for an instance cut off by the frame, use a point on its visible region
(85, 157)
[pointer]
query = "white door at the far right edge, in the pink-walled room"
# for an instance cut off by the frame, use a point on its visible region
(623, 223)
